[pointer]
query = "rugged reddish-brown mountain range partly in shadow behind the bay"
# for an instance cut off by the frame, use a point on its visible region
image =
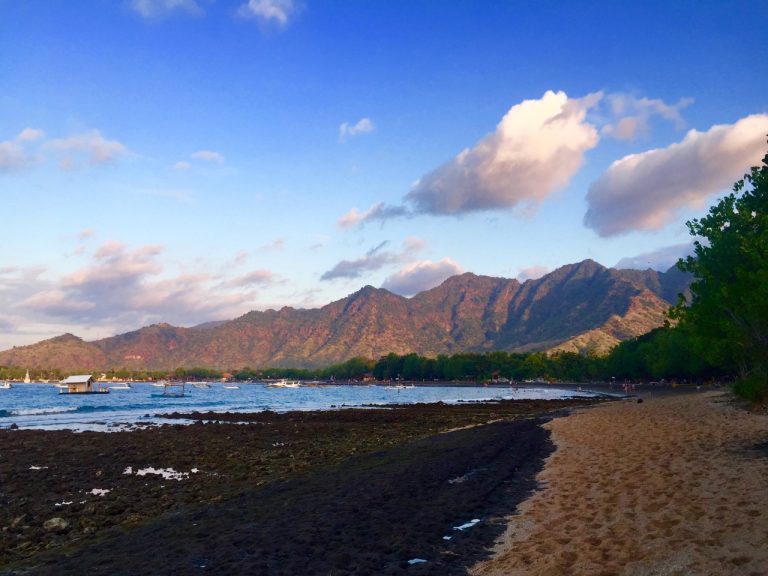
(578, 307)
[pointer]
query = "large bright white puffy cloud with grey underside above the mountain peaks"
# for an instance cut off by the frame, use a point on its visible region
(535, 150)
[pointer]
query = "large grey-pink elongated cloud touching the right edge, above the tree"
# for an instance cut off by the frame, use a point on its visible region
(646, 191)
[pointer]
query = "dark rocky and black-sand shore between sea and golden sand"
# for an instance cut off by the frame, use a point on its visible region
(343, 492)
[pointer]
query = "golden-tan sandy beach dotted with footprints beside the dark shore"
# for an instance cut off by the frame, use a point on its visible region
(670, 486)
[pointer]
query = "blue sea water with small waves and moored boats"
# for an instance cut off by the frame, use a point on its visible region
(42, 406)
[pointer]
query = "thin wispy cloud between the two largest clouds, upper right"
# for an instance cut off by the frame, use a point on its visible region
(632, 115)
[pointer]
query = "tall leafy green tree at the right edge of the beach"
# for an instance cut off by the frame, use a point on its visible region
(728, 312)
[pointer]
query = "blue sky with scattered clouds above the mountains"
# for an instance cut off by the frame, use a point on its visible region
(190, 160)
